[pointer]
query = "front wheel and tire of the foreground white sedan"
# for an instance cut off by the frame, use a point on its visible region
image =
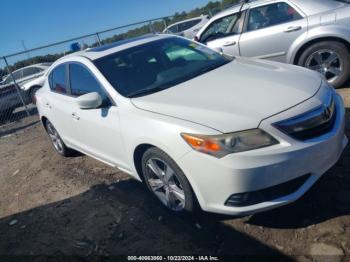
(167, 182)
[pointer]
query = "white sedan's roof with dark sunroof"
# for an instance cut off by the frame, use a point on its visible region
(101, 51)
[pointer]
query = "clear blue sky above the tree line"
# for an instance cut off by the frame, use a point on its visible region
(41, 22)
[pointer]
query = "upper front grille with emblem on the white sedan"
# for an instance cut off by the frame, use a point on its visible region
(312, 124)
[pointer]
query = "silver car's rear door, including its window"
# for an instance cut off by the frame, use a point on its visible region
(270, 30)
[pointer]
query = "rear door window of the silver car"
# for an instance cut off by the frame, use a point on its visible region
(270, 15)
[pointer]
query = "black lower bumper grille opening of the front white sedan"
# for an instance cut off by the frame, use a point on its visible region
(267, 194)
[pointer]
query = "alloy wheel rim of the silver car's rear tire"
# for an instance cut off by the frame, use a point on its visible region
(326, 62)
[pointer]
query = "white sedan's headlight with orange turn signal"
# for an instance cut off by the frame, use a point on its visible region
(222, 145)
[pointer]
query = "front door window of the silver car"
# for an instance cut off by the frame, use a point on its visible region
(221, 27)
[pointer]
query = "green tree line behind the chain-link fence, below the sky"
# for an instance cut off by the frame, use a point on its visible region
(210, 9)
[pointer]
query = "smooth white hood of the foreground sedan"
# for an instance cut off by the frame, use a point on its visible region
(236, 96)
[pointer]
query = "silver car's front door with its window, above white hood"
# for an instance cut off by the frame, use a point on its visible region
(224, 33)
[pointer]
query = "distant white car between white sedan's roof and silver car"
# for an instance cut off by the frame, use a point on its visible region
(187, 28)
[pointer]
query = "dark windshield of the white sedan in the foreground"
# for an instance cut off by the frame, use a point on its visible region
(157, 65)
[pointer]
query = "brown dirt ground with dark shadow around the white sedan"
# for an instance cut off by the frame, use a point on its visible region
(51, 205)
